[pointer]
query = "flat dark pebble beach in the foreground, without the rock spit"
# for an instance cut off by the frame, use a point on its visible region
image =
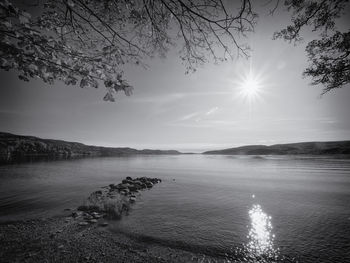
(57, 240)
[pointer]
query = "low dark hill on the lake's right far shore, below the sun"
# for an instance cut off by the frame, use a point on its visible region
(313, 148)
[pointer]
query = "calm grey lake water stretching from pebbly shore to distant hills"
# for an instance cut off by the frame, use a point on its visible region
(293, 207)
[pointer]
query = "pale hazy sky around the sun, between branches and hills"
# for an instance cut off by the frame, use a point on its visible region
(191, 113)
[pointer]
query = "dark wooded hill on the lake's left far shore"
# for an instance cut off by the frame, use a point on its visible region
(16, 146)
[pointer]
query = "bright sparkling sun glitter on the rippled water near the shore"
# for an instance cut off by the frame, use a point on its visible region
(260, 236)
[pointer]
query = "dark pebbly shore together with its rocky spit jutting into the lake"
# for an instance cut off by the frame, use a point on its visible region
(83, 234)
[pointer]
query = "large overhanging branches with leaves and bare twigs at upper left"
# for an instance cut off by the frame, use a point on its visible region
(88, 42)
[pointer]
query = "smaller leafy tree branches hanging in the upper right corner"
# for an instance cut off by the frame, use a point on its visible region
(329, 55)
